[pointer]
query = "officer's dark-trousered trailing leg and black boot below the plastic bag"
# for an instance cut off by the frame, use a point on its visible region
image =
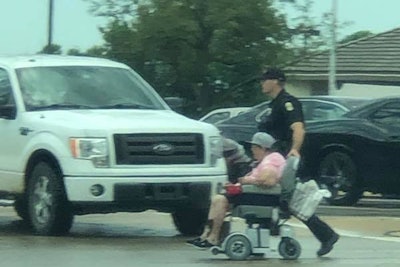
(323, 232)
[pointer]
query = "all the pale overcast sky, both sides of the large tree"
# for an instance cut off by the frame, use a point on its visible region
(23, 23)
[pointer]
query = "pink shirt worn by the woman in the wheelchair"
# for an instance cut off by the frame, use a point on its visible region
(274, 161)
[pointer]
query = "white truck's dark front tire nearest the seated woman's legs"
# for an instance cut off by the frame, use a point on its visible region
(190, 221)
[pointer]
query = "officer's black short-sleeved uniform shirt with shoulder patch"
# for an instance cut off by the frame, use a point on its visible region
(285, 110)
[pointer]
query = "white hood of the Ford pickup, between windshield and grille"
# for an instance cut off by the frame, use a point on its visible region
(122, 121)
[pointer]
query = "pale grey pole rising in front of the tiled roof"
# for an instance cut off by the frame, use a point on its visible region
(332, 55)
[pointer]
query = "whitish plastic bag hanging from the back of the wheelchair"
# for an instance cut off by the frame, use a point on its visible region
(306, 198)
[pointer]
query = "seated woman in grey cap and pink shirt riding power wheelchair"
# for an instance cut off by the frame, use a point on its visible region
(267, 172)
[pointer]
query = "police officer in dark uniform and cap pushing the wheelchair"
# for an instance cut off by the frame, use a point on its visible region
(284, 121)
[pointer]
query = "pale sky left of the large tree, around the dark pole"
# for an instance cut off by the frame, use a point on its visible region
(24, 25)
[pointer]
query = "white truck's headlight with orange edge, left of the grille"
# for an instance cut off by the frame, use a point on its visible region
(94, 149)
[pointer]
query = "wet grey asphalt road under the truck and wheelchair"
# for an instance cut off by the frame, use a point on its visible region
(150, 239)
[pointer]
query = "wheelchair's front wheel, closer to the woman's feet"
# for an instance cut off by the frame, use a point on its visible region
(238, 247)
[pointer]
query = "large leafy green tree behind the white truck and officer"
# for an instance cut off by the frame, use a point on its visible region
(196, 49)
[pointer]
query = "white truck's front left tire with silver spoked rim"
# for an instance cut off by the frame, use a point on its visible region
(49, 210)
